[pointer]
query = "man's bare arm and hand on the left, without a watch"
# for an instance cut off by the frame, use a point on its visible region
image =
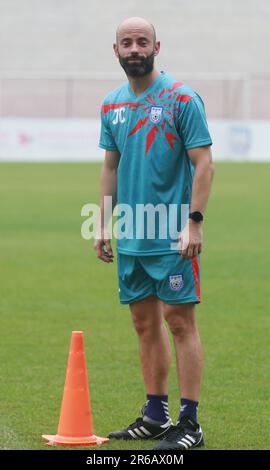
(108, 187)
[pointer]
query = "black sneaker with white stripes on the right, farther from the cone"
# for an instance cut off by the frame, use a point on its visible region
(183, 436)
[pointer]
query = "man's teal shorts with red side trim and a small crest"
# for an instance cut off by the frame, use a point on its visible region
(168, 277)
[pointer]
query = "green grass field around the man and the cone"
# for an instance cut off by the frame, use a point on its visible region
(51, 283)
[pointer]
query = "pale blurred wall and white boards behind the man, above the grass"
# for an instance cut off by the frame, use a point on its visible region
(57, 63)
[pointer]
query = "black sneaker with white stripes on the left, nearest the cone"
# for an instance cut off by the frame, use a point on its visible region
(142, 428)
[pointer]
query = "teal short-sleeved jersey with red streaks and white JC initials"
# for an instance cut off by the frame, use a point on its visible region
(152, 133)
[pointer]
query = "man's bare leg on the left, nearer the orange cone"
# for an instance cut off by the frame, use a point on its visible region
(154, 344)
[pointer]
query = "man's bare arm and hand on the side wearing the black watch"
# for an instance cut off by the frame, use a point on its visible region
(191, 238)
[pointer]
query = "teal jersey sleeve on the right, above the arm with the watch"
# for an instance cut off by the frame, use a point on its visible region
(193, 127)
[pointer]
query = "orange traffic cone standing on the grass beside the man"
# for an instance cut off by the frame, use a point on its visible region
(75, 426)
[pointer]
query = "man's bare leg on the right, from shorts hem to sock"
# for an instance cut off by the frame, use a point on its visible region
(189, 353)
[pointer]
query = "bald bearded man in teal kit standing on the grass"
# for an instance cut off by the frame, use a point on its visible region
(157, 146)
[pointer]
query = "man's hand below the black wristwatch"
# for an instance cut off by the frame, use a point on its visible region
(191, 240)
